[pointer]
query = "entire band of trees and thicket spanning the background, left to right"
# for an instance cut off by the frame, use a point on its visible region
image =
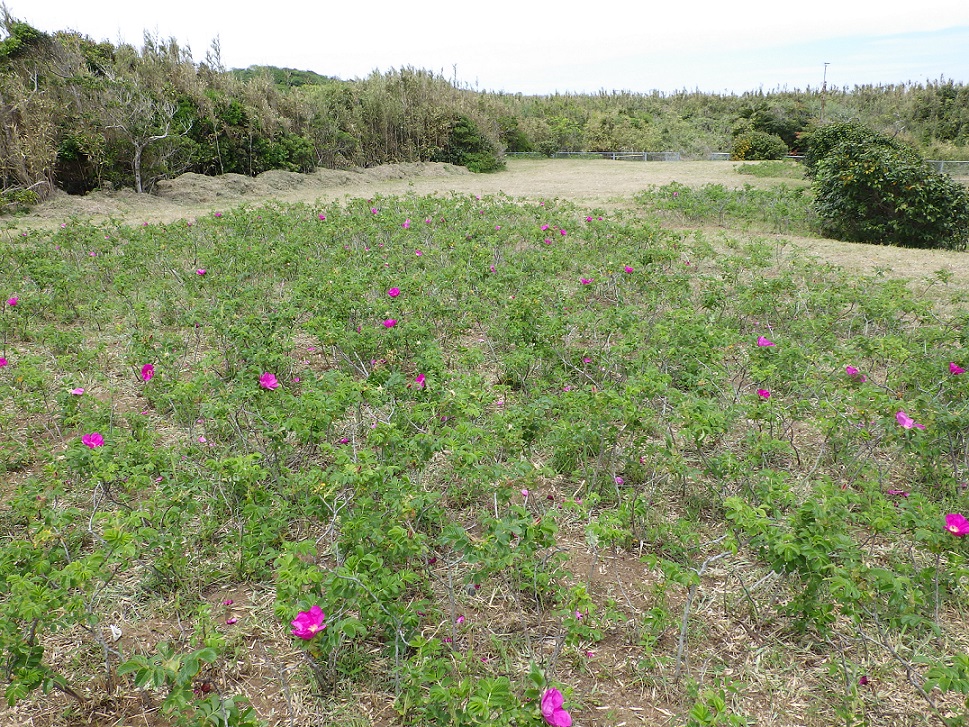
(79, 115)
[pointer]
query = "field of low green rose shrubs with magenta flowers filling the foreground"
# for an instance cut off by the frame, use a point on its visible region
(566, 463)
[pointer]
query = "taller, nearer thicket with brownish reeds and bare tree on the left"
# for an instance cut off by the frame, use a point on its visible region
(80, 115)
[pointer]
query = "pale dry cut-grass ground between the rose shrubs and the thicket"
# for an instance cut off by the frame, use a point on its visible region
(593, 183)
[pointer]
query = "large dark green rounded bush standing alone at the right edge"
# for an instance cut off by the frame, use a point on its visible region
(869, 188)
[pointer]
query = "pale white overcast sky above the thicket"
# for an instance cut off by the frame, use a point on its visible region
(540, 47)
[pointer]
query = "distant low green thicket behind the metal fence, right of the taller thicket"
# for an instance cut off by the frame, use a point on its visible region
(932, 117)
